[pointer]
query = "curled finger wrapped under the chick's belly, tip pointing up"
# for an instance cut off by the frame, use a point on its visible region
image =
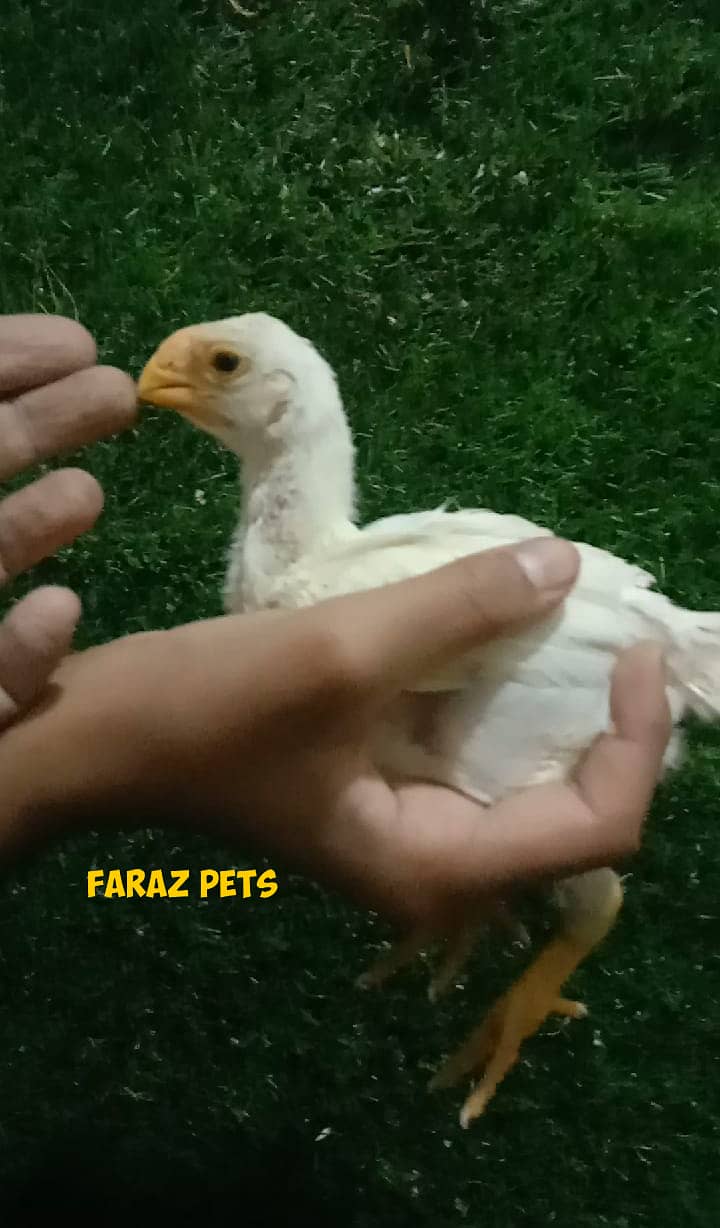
(432, 848)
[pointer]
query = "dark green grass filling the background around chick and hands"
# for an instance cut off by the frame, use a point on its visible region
(509, 250)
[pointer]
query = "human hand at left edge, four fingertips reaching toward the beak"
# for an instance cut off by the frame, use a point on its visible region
(53, 398)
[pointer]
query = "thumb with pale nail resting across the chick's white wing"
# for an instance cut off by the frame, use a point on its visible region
(410, 629)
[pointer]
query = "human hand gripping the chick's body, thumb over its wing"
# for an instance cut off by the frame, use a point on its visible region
(259, 728)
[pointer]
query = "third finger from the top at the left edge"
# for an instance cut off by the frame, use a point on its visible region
(41, 519)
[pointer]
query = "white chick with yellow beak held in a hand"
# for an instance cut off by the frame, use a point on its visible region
(514, 714)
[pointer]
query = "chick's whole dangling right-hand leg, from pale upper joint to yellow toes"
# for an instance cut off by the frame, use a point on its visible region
(592, 903)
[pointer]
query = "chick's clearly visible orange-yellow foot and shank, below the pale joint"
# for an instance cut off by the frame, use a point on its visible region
(495, 1047)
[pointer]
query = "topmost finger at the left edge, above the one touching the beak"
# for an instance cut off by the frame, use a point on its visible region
(39, 349)
